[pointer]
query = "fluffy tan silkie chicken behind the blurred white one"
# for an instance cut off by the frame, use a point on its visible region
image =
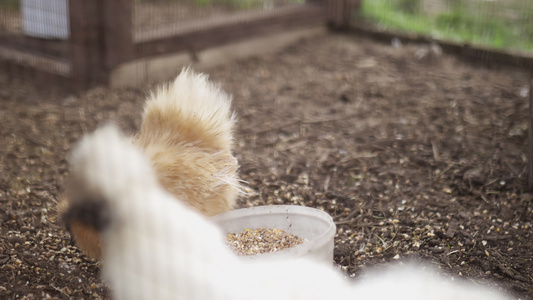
(187, 134)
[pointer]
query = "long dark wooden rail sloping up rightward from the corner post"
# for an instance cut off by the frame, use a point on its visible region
(215, 32)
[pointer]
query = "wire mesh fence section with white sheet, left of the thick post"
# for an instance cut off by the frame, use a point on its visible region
(33, 36)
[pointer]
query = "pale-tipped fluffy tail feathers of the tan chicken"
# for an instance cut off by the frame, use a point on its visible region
(189, 110)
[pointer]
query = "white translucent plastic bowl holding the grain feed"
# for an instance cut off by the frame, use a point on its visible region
(311, 224)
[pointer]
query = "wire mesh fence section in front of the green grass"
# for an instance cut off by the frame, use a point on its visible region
(493, 24)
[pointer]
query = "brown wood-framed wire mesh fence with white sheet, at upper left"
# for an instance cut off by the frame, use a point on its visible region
(85, 41)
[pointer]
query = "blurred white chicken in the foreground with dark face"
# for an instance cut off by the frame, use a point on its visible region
(162, 249)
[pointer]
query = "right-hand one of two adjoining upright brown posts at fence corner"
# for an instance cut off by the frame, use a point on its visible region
(118, 34)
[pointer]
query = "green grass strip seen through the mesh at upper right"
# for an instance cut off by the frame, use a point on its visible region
(460, 23)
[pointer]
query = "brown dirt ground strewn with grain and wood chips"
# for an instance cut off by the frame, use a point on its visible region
(416, 156)
